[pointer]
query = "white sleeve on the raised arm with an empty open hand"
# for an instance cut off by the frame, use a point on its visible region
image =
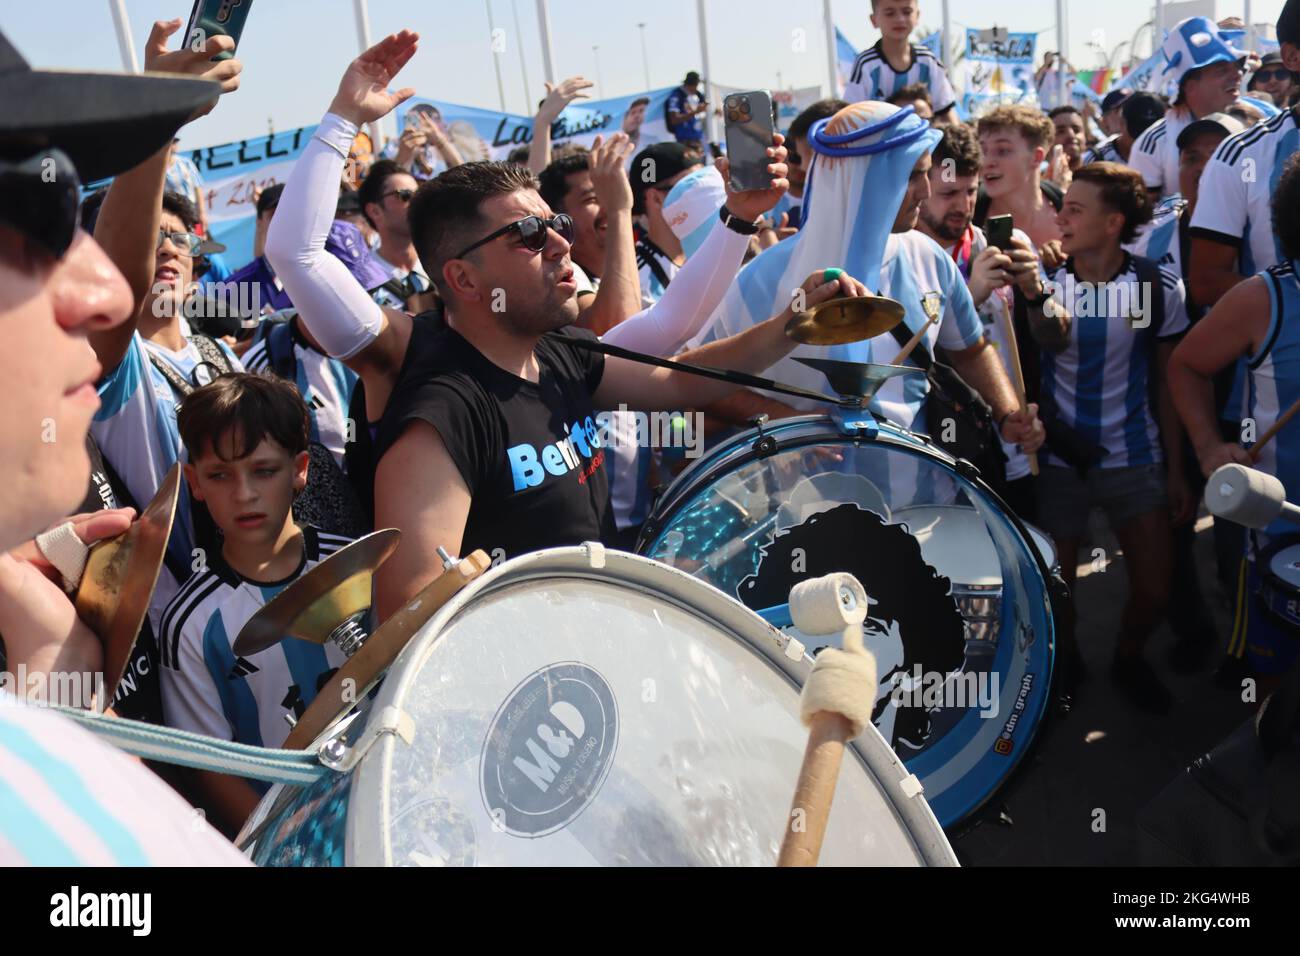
(336, 309)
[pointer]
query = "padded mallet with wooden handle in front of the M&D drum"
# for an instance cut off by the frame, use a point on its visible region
(837, 706)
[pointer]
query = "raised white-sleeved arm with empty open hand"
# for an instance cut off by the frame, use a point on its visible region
(332, 304)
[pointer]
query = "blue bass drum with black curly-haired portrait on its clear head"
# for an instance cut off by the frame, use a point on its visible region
(961, 620)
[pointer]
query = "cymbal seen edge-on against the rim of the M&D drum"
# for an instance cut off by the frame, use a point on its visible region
(363, 671)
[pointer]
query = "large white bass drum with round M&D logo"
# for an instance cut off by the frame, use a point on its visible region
(582, 707)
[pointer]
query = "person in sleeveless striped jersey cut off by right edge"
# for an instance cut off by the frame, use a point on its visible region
(1258, 321)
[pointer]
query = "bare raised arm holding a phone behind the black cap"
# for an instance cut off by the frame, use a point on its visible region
(128, 224)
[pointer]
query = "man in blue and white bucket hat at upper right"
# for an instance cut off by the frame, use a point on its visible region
(1208, 70)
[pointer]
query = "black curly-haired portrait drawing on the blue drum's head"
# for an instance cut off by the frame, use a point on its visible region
(913, 621)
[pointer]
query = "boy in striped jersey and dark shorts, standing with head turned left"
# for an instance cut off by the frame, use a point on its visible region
(1110, 339)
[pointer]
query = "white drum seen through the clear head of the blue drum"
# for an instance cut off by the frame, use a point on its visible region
(956, 543)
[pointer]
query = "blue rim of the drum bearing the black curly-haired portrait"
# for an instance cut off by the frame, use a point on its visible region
(813, 430)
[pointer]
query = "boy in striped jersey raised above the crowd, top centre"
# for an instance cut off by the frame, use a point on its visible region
(894, 63)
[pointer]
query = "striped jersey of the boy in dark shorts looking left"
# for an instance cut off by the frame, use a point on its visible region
(1102, 382)
